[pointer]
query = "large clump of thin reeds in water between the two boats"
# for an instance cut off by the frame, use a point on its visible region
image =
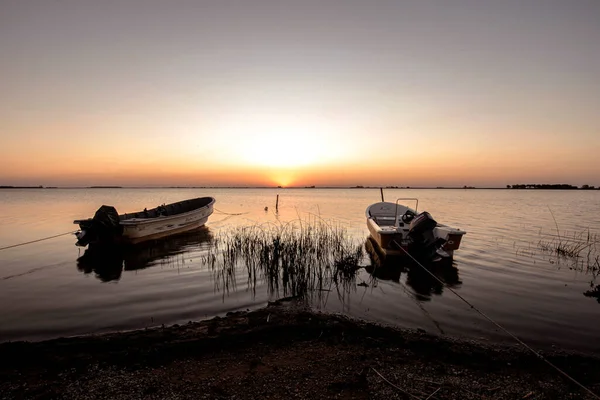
(301, 258)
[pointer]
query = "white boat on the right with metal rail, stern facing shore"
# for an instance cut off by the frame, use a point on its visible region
(398, 230)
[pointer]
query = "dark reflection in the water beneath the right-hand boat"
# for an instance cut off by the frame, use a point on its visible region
(418, 276)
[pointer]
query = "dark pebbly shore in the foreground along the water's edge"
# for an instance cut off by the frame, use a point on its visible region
(281, 352)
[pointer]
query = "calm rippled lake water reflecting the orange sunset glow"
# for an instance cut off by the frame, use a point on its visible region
(46, 293)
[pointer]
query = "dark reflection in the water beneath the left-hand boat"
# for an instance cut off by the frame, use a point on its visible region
(109, 262)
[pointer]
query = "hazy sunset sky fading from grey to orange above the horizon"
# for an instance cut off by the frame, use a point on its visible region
(299, 93)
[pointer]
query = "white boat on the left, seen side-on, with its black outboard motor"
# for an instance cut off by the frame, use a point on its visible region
(107, 226)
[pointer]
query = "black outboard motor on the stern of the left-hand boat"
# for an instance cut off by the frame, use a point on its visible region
(104, 227)
